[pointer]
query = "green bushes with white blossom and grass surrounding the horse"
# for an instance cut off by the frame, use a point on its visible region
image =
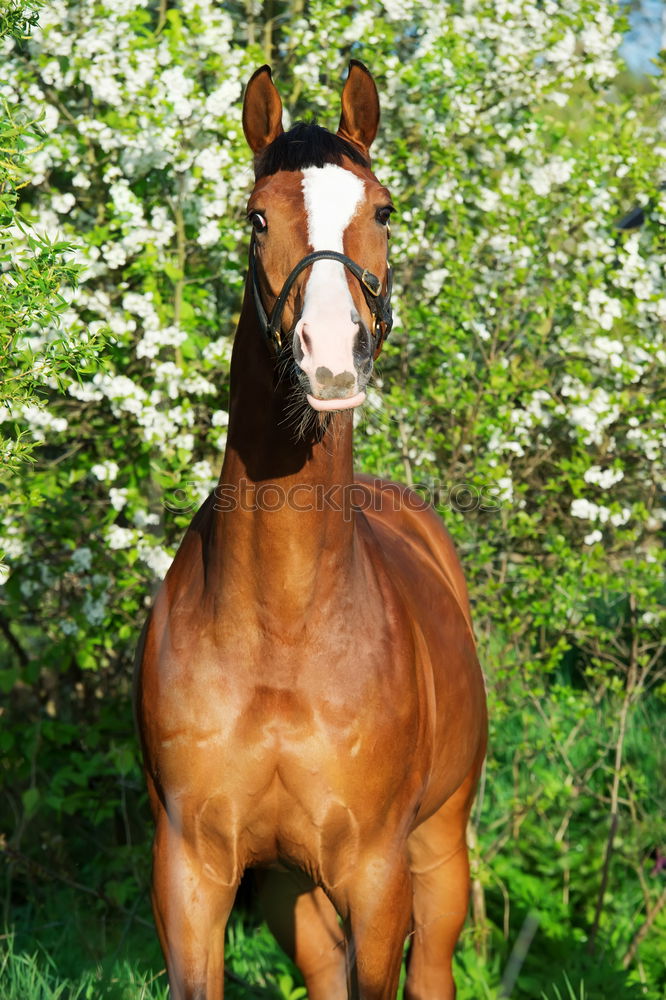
(522, 389)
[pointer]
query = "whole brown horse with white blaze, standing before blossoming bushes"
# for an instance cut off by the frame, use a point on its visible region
(309, 698)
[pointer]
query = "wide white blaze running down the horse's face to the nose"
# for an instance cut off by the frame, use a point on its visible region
(329, 320)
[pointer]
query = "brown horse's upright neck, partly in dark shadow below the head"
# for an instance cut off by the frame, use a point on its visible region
(283, 531)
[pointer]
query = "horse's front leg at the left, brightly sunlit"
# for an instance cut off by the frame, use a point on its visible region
(191, 909)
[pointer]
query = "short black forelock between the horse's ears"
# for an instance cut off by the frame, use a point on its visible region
(306, 144)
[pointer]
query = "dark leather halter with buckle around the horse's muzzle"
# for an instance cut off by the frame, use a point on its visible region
(378, 303)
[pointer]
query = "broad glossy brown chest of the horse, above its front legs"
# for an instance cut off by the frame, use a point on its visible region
(303, 738)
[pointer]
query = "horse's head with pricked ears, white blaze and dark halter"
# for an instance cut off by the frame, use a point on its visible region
(319, 266)
